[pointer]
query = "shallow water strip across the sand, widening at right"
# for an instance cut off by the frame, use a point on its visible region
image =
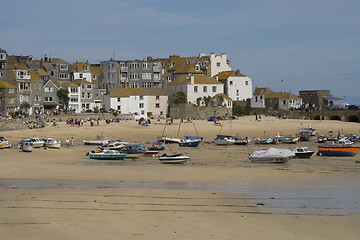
(323, 198)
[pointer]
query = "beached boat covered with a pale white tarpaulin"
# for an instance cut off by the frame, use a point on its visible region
(272, 155)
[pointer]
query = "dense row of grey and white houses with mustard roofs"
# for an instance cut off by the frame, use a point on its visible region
(141, 87)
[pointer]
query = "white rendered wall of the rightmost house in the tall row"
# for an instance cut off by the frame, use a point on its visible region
(239, 91)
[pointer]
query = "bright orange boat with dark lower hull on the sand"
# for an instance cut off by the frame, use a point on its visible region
(337, 151)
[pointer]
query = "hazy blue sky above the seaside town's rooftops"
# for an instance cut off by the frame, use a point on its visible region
(287, 45)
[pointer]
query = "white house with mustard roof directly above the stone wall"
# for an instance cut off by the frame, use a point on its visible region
(196, 87)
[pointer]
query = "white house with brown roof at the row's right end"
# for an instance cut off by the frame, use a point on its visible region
(236, 85)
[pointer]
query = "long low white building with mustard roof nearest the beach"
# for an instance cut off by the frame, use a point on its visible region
(142, 102)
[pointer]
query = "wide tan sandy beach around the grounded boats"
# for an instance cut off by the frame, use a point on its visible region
(218, 194)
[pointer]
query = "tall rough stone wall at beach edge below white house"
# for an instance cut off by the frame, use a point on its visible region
(190, 111)
